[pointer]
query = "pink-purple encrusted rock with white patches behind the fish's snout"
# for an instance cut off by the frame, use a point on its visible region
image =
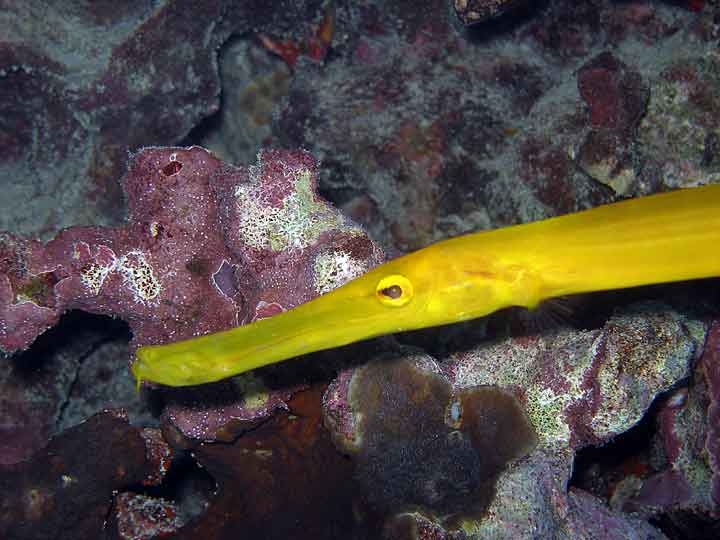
(206, 247)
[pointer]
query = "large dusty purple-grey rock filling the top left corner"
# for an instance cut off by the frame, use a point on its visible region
(84, 83)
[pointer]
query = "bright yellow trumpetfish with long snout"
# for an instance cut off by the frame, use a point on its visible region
(661, 238)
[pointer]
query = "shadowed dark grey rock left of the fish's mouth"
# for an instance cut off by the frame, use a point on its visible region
(73, 371)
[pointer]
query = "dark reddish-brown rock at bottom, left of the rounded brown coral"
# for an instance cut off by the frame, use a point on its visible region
(281, 480)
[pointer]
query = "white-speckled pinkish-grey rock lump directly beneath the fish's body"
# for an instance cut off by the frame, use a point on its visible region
(587, 387)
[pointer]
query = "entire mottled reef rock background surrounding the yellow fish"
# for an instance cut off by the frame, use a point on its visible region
(171, 168)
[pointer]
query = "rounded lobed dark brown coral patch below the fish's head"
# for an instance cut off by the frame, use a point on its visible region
(419, 445)
